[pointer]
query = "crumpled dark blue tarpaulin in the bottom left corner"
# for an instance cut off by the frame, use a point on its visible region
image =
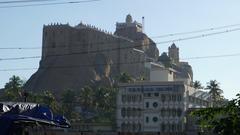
(14, 114)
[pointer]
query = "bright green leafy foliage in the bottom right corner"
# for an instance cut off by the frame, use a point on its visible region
(221, 120)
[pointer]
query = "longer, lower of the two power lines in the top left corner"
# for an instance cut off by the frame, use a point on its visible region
(46, 4)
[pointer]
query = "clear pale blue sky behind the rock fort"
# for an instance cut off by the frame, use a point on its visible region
(22, 27)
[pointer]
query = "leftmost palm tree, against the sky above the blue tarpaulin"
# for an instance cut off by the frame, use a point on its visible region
(13, 89)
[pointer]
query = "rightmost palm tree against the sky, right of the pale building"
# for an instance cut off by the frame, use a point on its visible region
(214, 91)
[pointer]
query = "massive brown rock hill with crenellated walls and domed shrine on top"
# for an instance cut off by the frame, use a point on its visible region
(73, 57)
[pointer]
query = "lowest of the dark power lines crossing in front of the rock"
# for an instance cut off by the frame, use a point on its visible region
(137, 62)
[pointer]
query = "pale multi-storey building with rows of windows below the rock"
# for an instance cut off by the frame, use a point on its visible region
(153, 107)
